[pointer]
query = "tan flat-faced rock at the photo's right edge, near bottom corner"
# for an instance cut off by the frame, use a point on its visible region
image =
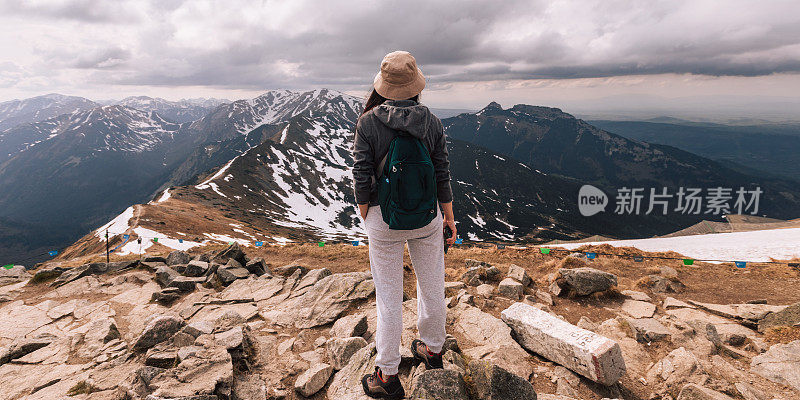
(781, 364)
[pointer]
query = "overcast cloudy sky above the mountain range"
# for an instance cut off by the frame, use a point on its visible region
(582, 55)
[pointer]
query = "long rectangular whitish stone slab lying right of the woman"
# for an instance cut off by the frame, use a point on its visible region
(584, 352)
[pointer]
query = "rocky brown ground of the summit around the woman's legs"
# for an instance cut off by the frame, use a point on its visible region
(224, 324)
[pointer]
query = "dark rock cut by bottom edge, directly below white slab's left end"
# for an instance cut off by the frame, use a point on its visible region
(491, 382)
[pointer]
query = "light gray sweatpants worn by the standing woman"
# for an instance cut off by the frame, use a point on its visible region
(425, 246)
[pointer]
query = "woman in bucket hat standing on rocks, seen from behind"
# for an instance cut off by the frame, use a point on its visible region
(402, 179)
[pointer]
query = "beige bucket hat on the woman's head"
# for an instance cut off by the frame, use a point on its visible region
(399, 77)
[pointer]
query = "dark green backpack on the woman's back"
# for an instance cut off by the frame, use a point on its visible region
(407, 184)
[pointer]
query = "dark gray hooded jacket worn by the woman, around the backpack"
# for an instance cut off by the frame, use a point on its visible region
(375, 131)
